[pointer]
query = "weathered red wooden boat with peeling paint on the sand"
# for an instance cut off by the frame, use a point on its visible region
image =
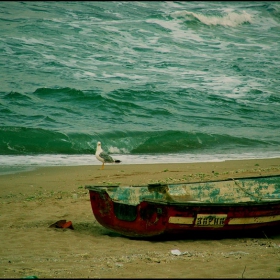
(154, 209)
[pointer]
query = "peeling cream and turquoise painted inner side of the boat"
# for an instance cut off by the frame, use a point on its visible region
(229, 191)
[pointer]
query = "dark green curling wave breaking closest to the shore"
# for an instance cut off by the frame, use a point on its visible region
(22, 140)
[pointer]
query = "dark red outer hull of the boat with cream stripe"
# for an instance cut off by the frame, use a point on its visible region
(150, 218)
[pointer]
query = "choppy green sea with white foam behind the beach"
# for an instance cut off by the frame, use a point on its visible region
(154, 81)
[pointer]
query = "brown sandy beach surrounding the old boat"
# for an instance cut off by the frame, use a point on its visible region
(31, 201)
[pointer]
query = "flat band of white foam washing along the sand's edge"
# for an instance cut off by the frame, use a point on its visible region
(32, 161)
